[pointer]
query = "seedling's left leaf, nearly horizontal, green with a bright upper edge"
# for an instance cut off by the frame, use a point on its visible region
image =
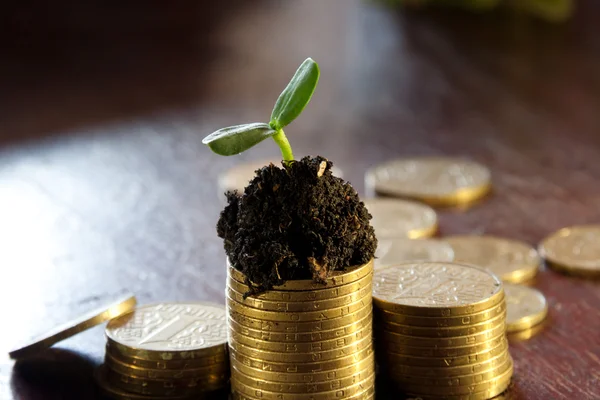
(235, 139)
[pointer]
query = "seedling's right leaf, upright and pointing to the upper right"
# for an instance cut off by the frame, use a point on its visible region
(296, 95)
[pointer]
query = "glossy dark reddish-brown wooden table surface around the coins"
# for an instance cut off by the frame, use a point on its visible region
(105, 185)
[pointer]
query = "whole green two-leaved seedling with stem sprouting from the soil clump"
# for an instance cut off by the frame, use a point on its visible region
(294, 98)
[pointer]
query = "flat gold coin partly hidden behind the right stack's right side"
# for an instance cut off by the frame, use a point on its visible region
(526, 307)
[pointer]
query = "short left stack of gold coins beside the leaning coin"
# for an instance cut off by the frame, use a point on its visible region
(166, 351)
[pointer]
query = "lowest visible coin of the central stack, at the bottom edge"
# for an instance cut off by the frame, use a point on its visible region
(366, 386)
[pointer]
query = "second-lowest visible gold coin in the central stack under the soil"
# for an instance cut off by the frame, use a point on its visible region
(319, 376)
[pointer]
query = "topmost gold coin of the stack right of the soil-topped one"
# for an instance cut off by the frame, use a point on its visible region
(431, 289)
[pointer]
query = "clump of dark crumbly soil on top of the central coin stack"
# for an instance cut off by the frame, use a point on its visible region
(295, 222)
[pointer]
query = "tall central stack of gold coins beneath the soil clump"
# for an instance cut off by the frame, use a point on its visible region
(302, 340)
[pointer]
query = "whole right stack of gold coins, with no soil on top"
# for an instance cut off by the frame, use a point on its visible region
(440, 330)
